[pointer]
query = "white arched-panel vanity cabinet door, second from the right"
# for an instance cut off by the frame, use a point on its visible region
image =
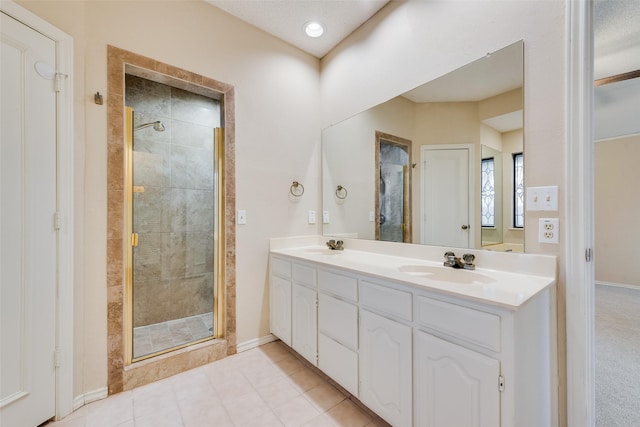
(385, 368)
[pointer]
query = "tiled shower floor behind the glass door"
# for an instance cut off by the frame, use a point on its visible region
(161, 336)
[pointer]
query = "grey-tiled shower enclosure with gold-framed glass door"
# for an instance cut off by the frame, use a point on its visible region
(172, 214)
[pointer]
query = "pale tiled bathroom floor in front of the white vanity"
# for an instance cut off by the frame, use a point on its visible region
(263, 387)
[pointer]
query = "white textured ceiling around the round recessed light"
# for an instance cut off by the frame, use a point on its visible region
(285, 18)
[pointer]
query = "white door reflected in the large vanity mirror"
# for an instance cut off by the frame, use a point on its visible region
(445, 197)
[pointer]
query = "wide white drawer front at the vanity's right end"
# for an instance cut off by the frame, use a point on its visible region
(474, 326)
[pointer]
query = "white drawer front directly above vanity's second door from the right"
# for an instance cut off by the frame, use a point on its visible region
(386, 300)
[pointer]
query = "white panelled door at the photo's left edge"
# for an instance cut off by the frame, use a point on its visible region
(28, 244)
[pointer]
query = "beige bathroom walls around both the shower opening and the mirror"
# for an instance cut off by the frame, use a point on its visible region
(280, 108)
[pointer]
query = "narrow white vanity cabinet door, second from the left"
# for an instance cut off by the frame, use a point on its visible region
(304, 326)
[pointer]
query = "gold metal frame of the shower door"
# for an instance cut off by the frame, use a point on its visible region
(131, 240)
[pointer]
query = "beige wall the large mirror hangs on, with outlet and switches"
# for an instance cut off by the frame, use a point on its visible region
(415, 41)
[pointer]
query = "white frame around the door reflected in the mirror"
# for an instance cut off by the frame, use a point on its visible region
(472, 186)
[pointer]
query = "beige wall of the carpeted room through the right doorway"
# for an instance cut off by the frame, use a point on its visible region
(616, 210)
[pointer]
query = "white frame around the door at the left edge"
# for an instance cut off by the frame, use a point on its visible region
(65, 201)
